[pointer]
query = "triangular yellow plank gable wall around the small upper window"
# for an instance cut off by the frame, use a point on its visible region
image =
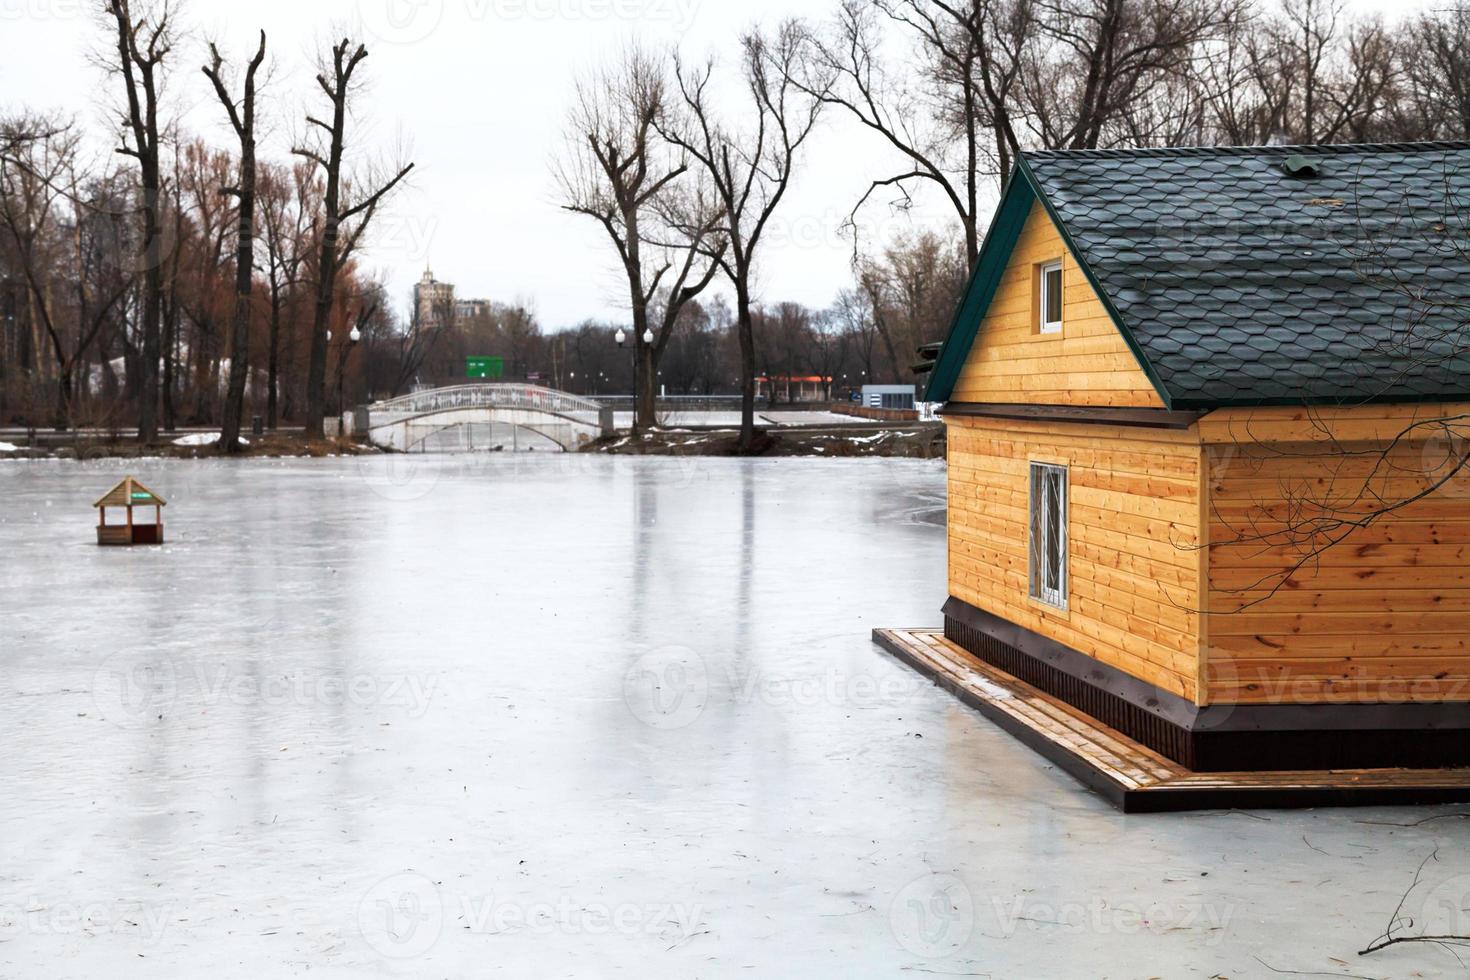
(1087, 365)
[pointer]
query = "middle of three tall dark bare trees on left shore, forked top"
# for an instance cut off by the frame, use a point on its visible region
(243, 121)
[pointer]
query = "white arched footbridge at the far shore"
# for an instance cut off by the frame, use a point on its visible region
(570, 421)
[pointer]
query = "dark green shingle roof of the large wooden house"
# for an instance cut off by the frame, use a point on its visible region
(1238, 283)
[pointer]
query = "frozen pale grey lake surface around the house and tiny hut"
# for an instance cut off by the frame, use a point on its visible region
(549, 716)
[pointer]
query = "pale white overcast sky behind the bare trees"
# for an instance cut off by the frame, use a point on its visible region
(478, 90)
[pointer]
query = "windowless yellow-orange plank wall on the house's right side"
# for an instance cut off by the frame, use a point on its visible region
(1381, 616)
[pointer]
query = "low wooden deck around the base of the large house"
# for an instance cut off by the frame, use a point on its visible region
(1137, 779)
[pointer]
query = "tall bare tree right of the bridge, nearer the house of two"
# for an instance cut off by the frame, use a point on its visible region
(750, 171)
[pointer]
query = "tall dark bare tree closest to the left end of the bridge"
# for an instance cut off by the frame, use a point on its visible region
(355, 214)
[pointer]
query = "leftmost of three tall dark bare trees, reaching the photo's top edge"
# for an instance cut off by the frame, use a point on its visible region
(145, 35)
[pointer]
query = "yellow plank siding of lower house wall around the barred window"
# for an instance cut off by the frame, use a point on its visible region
(1134, 534)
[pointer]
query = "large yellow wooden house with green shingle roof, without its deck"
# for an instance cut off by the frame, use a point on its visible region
(1206, 417)
